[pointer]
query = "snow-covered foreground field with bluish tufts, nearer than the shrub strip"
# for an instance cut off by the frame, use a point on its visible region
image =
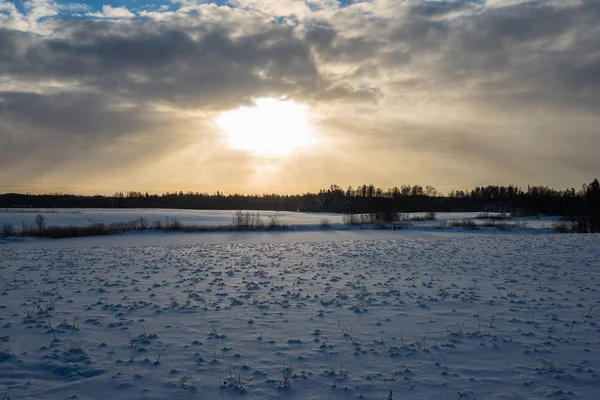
(421, 314)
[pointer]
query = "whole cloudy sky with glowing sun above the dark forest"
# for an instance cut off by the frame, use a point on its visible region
(106, 96)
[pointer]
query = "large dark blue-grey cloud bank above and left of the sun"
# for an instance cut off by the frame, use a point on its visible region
(203, 66)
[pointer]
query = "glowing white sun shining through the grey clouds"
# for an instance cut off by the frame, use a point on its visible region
(269, 127)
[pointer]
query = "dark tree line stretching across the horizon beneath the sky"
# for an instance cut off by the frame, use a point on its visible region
(362, 199)
